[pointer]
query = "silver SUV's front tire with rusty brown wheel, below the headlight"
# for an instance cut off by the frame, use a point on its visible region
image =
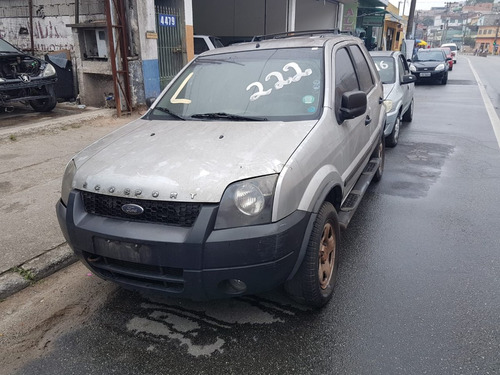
(314, 281)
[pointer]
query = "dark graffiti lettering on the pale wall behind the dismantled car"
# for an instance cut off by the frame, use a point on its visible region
(49, 33)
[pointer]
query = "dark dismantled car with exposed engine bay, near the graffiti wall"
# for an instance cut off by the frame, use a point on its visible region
(25, 79)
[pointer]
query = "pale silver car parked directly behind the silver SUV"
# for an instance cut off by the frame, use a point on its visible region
(399, 85)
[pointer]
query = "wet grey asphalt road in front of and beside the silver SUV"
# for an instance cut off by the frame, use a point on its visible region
(417, 293)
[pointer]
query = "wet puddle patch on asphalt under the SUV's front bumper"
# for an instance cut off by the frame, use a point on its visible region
(206, 328)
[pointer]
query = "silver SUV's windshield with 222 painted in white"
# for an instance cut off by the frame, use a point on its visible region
(278, 84)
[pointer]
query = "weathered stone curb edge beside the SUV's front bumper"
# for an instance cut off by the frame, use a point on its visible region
(36, 269)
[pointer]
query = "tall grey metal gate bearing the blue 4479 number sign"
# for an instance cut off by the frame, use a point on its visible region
(171, 35)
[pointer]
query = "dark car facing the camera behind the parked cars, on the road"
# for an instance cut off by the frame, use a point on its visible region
(430, 65)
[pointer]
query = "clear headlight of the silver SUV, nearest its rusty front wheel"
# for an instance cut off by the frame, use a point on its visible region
(248, 202)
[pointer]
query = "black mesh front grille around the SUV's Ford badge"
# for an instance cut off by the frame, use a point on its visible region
(172, 213)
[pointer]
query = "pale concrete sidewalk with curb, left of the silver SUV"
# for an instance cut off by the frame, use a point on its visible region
(32, 161)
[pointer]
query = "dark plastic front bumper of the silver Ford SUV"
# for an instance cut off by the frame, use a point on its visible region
(196, 262)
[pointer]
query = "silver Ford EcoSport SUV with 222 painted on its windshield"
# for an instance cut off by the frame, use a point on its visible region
(240, 176)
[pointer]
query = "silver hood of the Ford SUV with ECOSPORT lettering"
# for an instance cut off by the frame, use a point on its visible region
(185, 160)
